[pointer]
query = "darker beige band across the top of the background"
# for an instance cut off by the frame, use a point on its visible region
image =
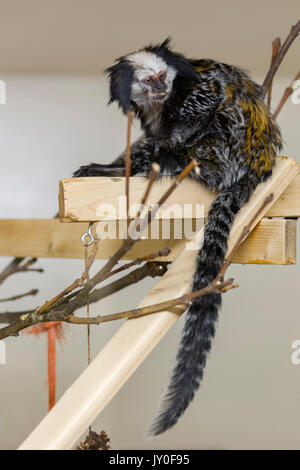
(84, 36)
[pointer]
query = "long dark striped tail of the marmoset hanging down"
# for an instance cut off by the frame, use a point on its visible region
(202, 315)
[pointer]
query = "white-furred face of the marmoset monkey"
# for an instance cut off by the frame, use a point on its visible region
(152, 80)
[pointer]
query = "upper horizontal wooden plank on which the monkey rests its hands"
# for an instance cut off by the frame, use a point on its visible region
(83, 199)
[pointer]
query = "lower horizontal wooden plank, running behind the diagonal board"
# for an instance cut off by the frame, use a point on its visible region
(273, 241)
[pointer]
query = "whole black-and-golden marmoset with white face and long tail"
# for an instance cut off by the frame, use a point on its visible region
(214, 113)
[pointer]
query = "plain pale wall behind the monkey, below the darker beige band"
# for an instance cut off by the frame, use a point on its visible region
(50, 125)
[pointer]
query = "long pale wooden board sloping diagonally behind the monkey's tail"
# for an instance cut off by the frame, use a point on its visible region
(122, 355)
